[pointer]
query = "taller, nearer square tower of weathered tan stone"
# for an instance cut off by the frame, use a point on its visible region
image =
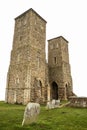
(26, 75)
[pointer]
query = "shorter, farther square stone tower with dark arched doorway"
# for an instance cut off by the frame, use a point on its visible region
(59, 69)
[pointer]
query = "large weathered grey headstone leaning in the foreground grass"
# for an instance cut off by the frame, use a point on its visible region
(31, 113)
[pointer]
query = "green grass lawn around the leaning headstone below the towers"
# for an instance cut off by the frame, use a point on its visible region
(66, 118)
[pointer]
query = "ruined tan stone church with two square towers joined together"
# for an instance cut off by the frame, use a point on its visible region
(30, 78)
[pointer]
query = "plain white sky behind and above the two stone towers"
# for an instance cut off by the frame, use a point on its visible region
(64, 17)
